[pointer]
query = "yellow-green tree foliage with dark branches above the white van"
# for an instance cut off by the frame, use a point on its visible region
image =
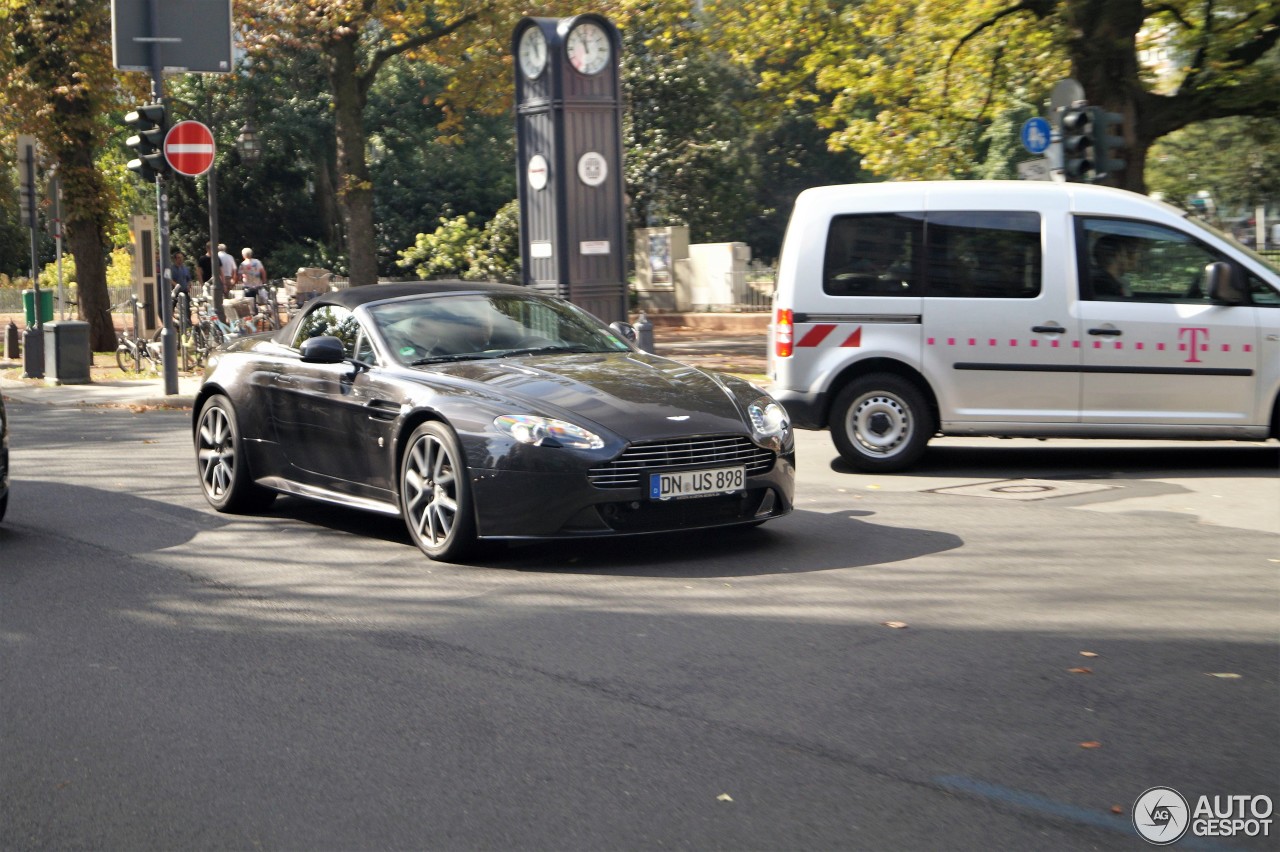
(915, 86)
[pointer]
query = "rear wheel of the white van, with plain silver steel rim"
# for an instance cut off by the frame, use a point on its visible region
(881, 423)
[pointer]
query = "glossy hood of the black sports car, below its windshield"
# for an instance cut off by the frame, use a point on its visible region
(633, 395)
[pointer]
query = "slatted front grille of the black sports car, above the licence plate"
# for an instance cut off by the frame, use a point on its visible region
(685, 454)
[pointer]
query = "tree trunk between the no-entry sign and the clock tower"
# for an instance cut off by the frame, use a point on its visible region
(355, 189)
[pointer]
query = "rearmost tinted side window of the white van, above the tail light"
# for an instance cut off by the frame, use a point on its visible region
(874, 255)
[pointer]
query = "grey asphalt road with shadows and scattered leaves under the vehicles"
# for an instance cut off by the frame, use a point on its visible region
(175, 679)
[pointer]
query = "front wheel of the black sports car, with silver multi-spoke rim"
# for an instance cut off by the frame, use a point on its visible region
(436, 494)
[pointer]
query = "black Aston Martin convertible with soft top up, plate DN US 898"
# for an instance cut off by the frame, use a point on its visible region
(486, 411)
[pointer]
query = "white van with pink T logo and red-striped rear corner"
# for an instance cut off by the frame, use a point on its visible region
(1018, 309)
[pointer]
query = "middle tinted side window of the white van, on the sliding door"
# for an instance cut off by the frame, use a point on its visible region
(984, 255)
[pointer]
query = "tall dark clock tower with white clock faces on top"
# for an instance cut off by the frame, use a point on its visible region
(569, 146)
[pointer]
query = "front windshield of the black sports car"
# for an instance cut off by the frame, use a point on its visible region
(465, 327)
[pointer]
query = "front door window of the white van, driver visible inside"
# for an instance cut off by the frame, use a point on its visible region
(1127, 260)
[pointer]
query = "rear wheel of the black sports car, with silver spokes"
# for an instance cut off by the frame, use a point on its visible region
(223, 466)
